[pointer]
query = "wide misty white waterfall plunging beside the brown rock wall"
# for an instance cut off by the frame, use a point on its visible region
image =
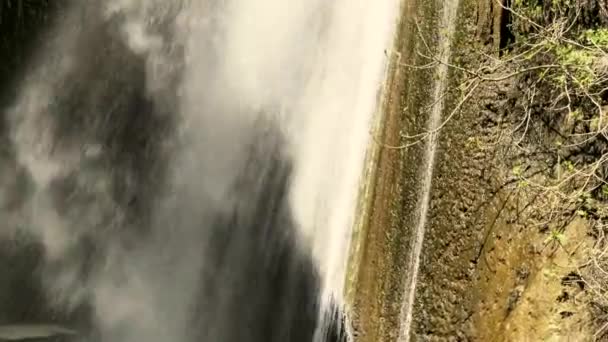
(184, 160)
